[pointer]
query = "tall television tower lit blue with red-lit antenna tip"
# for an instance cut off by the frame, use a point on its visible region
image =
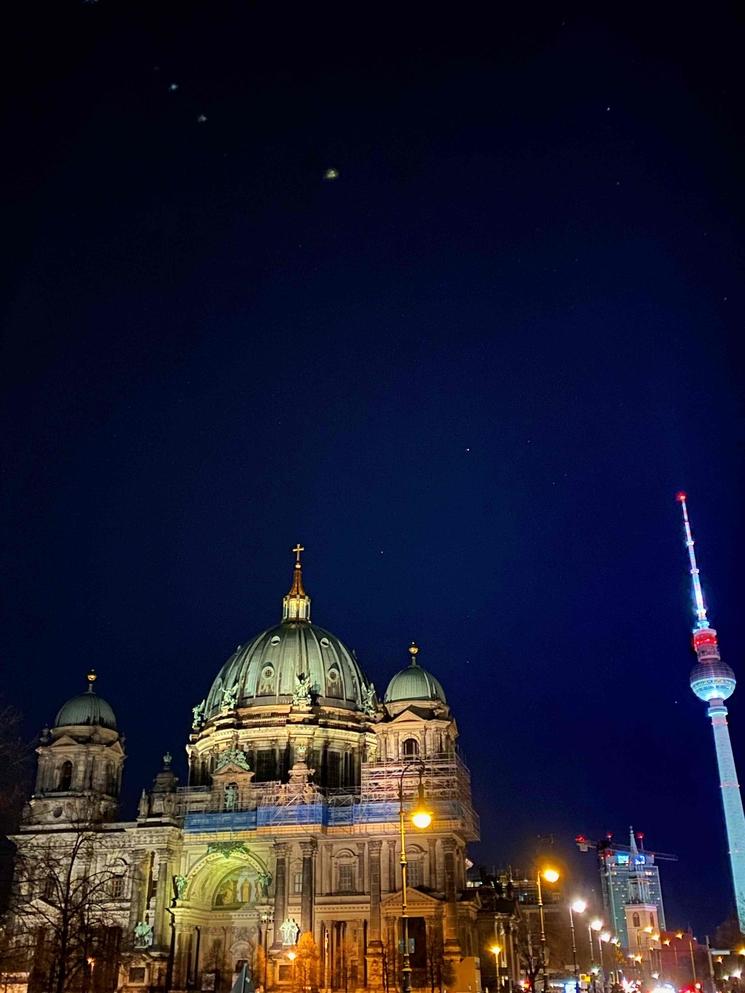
(714, 682)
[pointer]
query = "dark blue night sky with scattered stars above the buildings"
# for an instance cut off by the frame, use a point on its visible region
(469, 375)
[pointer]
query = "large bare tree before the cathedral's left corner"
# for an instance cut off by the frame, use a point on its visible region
(64, 906)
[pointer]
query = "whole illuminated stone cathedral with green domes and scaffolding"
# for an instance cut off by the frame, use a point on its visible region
(283, 851)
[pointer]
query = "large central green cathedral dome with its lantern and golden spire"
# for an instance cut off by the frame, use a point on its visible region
(267, 670)
